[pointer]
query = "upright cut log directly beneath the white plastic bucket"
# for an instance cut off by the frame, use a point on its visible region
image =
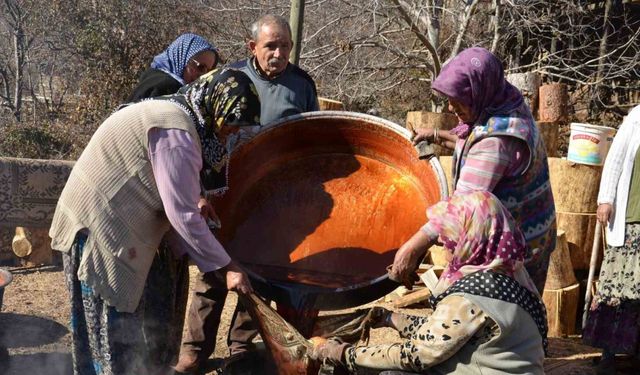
(575, 186)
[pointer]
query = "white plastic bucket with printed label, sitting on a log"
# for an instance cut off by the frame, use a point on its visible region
(589, 144)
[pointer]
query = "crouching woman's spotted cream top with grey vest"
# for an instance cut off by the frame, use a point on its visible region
(465, 335)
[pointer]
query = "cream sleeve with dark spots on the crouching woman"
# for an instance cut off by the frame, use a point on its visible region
(434, 340)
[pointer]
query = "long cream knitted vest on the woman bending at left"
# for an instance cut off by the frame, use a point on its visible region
(111, 194)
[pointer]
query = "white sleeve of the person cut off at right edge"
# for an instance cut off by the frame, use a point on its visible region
(613, 164)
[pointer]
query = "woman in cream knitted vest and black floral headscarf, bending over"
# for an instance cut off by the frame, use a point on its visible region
(139, 176)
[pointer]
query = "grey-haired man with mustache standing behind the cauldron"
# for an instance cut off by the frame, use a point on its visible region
(284, 90)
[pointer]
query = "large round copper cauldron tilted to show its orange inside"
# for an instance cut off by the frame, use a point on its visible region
(319, 203)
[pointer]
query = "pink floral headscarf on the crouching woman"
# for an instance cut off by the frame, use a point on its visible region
(481, 235)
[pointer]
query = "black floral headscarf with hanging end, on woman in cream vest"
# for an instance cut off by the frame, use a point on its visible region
(221, 97)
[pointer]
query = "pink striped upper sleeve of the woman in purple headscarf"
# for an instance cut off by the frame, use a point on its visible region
(488, 161)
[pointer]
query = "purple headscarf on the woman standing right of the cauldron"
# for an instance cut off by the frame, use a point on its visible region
(476, 79)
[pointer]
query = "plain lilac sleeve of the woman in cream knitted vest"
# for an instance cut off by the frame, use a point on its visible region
(176, 163)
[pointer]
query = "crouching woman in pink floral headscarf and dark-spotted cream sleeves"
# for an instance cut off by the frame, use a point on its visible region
(488, 316)
